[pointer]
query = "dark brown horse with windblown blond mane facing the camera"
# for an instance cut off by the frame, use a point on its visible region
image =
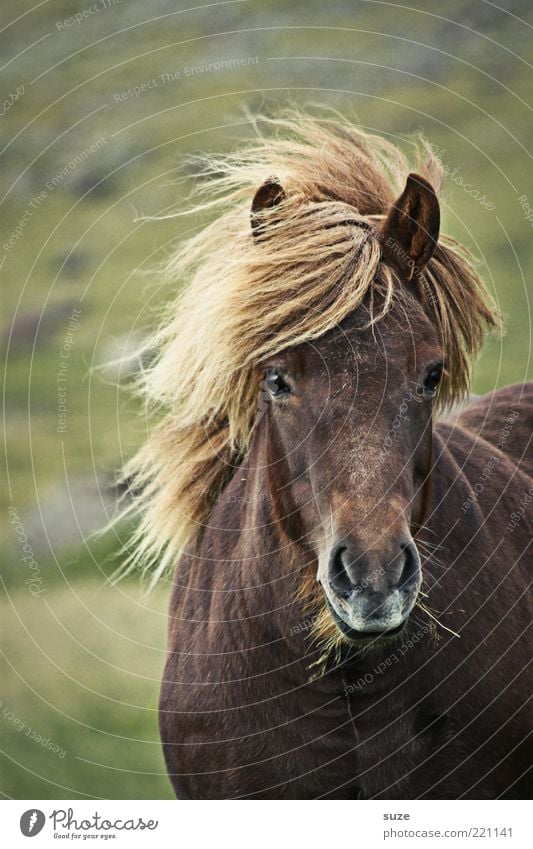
(349, 531)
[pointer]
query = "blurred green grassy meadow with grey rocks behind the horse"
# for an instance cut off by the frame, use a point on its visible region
(101, 102)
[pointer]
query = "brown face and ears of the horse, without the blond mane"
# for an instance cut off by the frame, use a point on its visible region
(348, 429)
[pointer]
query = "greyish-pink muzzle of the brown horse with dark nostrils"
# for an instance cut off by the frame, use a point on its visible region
(370, 593)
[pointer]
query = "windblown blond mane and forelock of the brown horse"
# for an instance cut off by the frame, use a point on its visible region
(242, 300)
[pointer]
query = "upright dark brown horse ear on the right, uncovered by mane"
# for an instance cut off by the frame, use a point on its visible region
(411, 229)
